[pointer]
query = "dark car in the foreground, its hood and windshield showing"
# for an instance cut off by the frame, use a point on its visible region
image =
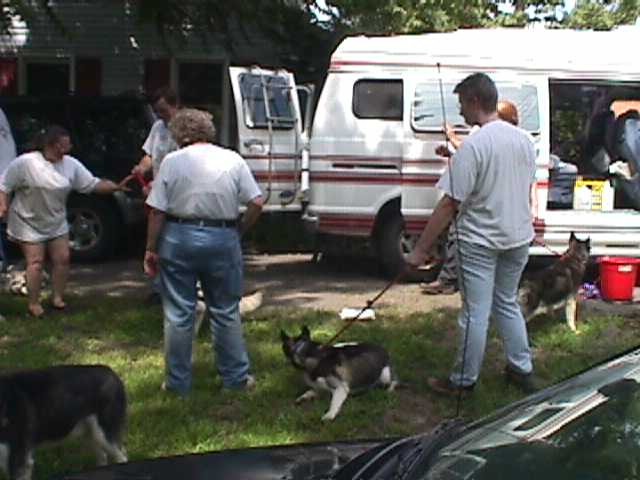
(587, 427)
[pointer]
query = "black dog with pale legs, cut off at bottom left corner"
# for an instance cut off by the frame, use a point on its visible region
(51, 404)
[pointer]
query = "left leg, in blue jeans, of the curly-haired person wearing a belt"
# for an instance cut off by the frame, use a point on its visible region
(179, 297)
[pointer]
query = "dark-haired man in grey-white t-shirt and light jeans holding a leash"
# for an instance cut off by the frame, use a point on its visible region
(488, 186)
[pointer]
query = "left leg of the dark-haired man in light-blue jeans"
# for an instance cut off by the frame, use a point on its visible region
(477, 272)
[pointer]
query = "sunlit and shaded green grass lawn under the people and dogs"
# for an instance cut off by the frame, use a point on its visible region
(128, 336)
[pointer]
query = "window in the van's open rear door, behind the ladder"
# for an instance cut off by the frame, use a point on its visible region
(266, 99)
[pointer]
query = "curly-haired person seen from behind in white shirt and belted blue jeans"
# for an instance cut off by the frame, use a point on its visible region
(193, 234)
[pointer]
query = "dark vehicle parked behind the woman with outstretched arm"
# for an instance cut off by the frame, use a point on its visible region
(107, 135)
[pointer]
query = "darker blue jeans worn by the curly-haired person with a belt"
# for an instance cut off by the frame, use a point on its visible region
(212, 255)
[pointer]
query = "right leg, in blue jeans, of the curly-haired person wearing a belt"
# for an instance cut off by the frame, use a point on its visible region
(222, 287)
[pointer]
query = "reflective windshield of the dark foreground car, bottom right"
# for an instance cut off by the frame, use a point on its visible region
(585, 427)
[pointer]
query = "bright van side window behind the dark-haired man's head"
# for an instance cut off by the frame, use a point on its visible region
(427, 106)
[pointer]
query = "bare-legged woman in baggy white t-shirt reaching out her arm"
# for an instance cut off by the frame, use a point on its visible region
(40, 181)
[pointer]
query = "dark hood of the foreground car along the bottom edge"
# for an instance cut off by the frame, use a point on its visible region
(292, 462)
